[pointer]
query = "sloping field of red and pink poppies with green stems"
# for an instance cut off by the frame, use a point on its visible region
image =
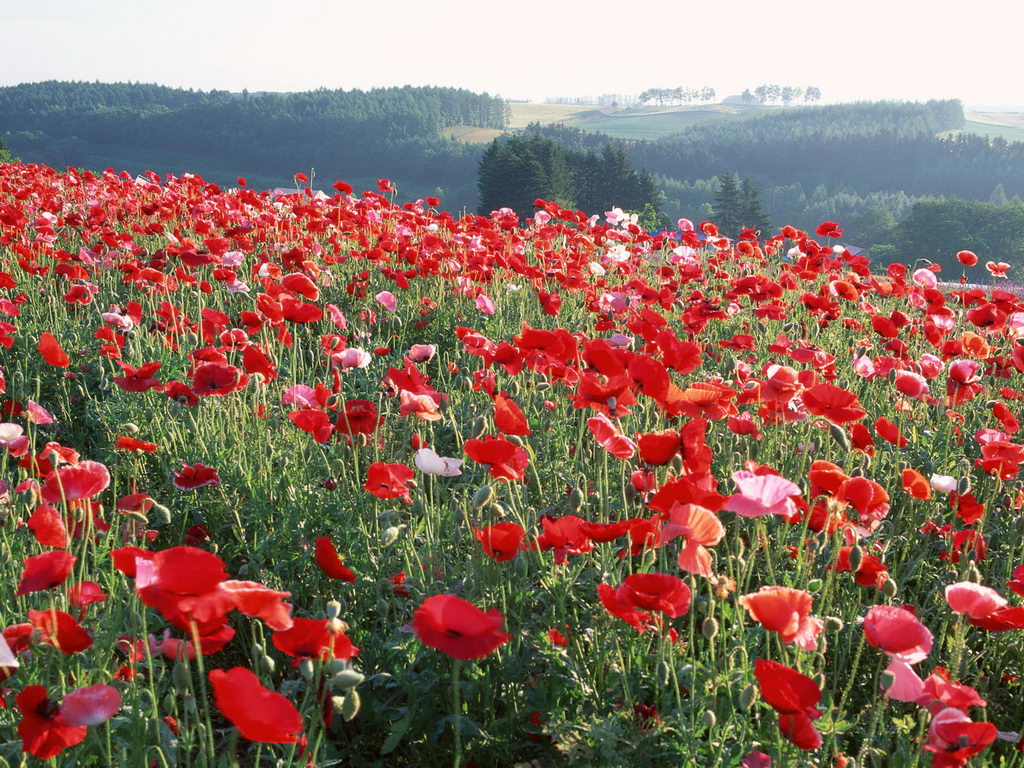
(308, 480)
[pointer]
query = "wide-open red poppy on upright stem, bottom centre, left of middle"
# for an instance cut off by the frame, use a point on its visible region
(458, 628)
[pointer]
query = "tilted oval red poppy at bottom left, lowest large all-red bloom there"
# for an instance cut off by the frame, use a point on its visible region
(260, 714)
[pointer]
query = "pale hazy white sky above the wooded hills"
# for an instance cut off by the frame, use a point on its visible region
(527, 50)
